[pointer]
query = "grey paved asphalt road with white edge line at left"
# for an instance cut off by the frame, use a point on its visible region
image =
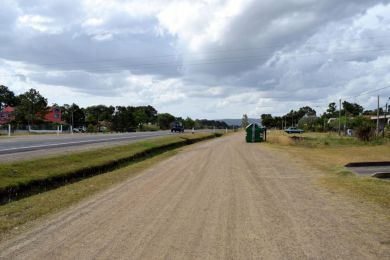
(13, 145)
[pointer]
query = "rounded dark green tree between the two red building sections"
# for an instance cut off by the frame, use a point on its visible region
(32, 107)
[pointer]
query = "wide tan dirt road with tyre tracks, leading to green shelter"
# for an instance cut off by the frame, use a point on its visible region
(222, 199)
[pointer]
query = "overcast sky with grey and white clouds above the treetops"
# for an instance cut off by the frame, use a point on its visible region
(199, 58)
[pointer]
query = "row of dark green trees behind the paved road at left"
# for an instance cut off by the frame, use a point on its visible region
(31, 108)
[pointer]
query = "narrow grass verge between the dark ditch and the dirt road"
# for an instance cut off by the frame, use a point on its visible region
(15, 215)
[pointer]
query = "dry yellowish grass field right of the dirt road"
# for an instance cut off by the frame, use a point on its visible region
(330, 153)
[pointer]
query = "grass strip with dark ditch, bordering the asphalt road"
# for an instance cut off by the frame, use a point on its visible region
(22, 179)
